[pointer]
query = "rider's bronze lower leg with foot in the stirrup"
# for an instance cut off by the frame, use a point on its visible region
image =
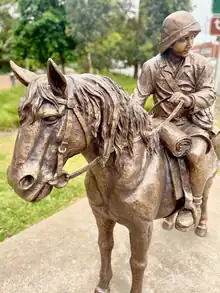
(198, 175)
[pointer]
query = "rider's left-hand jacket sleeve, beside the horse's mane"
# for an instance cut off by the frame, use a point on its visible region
(145, 85)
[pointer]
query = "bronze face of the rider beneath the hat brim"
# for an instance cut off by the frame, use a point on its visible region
(182, 47)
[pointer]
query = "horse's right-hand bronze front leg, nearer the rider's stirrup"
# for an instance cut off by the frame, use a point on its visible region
(140, 241)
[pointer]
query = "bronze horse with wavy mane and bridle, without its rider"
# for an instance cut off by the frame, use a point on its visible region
(128, 179)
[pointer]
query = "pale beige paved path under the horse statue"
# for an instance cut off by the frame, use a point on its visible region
(60, 255)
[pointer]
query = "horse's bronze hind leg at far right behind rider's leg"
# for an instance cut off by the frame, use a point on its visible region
(202, 228)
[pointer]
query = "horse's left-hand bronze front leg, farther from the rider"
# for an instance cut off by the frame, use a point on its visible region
(106, 243)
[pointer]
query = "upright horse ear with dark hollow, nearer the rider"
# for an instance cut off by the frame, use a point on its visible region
(55, 78)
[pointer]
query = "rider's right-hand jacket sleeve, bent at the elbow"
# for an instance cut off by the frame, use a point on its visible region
(205, 95)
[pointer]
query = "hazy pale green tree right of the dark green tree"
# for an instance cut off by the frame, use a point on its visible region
(94, 24)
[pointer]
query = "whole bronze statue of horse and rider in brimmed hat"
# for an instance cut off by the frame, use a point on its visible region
(128, 178)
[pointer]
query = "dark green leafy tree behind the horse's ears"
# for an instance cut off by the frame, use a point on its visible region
(42, 32)
